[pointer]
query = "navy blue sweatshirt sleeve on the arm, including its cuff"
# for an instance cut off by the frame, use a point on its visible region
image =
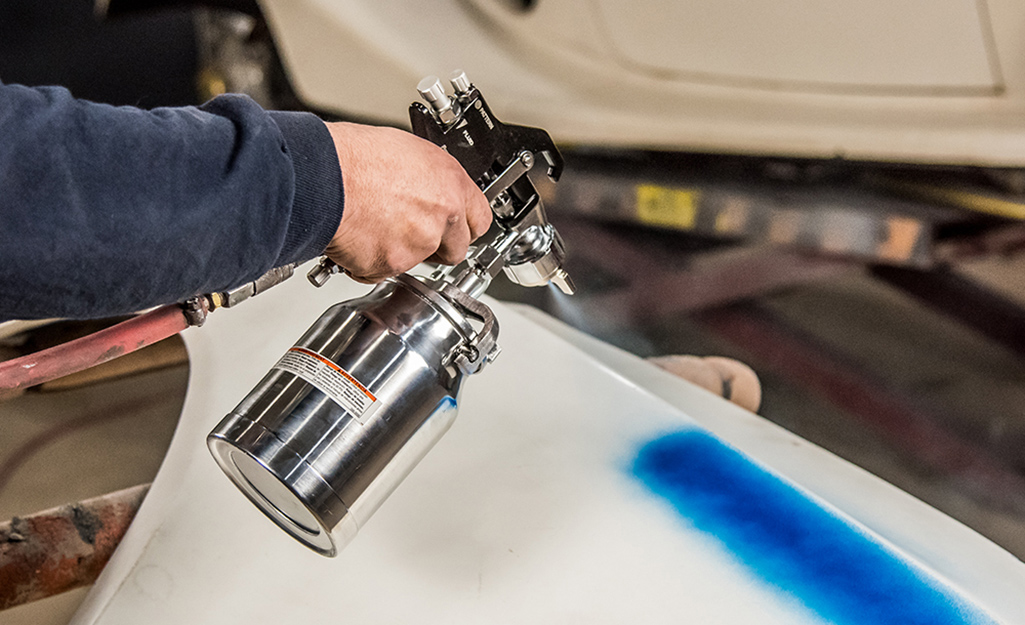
(108, 211)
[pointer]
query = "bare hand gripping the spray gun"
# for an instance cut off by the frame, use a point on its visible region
(406, 200)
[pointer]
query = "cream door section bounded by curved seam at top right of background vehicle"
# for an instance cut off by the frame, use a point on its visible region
(802, 44)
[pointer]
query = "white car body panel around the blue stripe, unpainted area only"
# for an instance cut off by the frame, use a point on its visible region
(524, 513)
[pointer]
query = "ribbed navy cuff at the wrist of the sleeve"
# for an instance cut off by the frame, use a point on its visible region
(319, 199)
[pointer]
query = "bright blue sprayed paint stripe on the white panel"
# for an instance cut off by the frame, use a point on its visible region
(792, 543)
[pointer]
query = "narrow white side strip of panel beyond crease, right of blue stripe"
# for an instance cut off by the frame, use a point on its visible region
(940, 544)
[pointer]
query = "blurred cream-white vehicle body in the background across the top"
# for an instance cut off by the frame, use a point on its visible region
(919, 81)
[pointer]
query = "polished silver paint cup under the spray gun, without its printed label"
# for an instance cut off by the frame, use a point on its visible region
(314, 468)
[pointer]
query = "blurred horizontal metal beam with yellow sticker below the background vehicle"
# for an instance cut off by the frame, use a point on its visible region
(841, 215)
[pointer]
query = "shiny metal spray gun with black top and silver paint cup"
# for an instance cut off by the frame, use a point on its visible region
(373, 386)
